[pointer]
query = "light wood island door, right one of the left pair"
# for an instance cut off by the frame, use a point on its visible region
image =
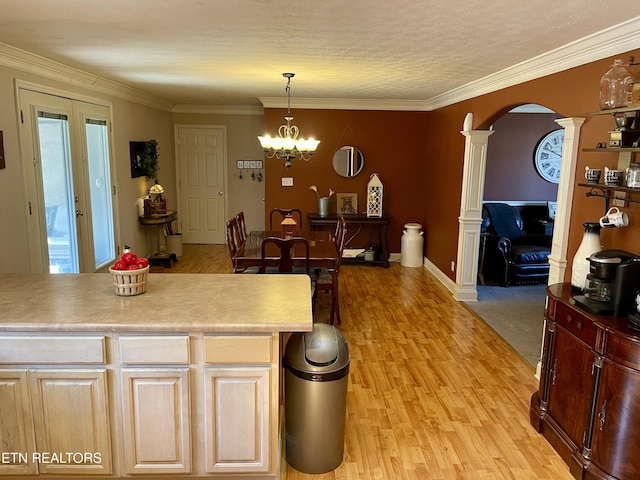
(70, 414)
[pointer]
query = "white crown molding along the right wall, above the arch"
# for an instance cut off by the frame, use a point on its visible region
(611, 41)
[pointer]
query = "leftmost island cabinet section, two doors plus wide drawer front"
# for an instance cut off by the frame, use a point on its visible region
(57, 419)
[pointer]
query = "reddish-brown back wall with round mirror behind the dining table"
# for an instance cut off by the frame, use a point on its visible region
(394, 145)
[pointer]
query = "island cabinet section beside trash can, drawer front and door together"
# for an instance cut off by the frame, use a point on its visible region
(240, 402)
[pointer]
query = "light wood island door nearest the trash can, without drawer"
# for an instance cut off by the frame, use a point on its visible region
(237, 406)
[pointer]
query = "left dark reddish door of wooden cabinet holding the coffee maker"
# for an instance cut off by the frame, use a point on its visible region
(570, 384)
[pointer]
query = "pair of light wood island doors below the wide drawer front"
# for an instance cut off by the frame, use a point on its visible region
(55, 422)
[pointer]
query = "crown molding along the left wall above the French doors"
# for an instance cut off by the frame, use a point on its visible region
(28, 62)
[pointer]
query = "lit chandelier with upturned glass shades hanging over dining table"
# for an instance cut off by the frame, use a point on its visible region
(287, 145)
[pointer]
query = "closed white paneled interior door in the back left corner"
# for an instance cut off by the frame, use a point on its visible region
(201, 182)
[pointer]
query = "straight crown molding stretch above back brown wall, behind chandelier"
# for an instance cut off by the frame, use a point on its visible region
(345, 104)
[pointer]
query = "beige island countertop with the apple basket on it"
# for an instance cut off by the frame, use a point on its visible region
(172, 302)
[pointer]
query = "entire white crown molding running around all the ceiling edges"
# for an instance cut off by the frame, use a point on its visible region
(618, 39)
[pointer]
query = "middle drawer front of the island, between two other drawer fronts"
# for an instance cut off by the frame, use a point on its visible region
(160, 349)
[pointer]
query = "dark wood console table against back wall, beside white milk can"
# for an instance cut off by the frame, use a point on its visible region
(355, 224)
